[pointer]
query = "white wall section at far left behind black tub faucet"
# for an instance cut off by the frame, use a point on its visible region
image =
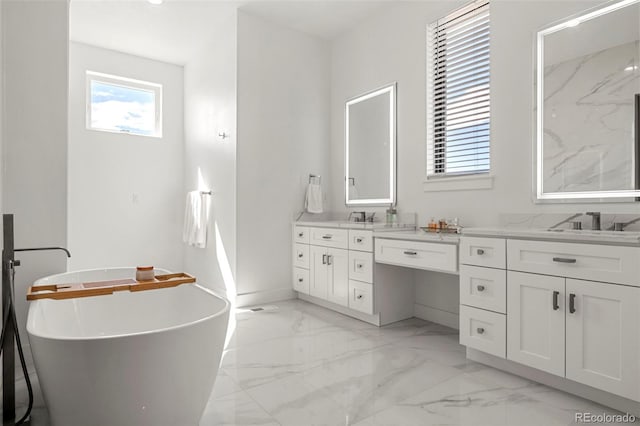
(34, 162)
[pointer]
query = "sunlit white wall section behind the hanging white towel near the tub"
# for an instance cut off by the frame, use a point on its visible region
(210, 162)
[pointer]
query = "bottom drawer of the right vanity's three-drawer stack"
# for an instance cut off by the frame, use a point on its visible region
(483, 330)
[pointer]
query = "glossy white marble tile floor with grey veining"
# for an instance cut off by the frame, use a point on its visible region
(305, 365)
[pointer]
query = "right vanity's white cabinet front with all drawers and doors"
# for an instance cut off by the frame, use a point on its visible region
(572, 309)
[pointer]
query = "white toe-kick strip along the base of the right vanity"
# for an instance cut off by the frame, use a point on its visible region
(605, 398)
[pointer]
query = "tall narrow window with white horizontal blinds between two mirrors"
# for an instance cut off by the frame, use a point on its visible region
(458, 95)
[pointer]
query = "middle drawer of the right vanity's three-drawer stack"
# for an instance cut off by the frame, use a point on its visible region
(484, 288)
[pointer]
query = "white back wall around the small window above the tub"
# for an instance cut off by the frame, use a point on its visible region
(126, 200)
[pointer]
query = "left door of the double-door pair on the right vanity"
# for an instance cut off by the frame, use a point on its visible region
(535, 321)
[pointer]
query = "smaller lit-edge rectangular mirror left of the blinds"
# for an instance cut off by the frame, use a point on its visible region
(370, 148)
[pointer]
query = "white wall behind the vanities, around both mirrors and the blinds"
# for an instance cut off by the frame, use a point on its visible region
(390, 46)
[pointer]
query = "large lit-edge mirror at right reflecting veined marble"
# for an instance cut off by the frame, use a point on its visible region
(588, 101)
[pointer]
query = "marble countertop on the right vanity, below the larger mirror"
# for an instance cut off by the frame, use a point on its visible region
(627, 238)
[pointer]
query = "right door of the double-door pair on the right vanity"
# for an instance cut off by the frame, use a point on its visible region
(603, 336)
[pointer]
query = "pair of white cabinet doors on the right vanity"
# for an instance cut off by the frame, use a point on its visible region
(592, 328)
